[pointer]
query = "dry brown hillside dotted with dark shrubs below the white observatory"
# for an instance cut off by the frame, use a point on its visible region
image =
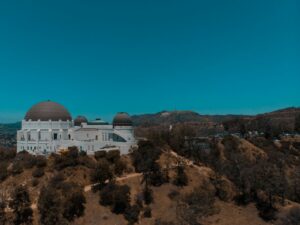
(213, 178)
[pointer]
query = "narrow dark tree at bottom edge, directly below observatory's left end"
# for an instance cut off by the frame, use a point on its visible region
(21, 206)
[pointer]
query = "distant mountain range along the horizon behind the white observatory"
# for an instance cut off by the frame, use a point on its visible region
(284, 117)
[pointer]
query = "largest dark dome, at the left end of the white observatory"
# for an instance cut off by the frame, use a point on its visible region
(48, 110)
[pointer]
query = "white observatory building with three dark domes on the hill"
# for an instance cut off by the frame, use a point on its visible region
(48, 127)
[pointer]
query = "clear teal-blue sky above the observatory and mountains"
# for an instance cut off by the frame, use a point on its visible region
(143, 56)
